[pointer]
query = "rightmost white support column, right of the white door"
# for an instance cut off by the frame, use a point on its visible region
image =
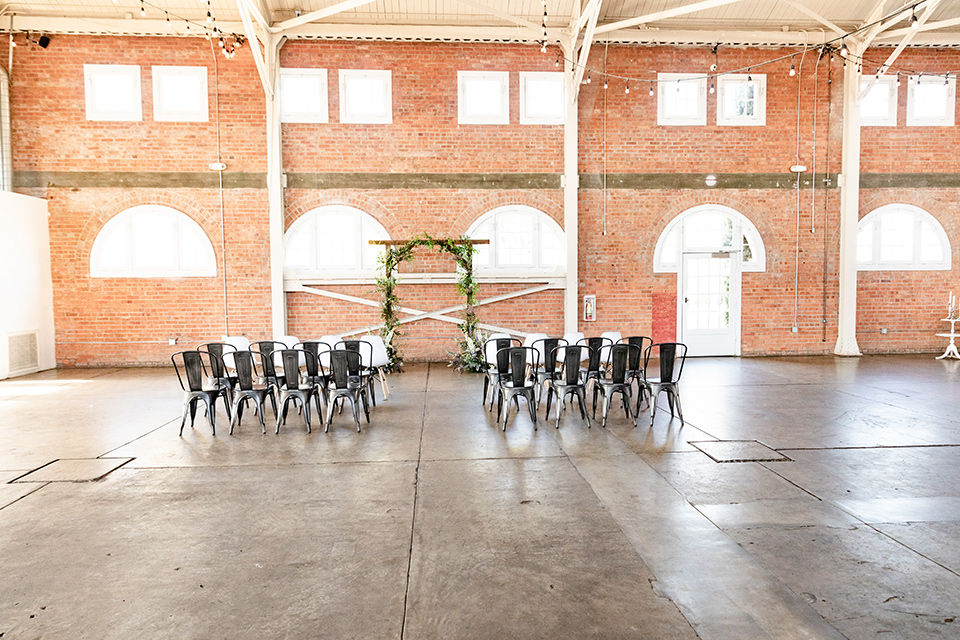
(849, 207)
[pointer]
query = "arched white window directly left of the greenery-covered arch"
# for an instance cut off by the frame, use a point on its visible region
(331, 242)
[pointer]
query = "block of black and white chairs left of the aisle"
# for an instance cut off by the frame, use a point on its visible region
(311, 371)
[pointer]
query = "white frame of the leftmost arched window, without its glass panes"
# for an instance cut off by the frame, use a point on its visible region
(123, 223)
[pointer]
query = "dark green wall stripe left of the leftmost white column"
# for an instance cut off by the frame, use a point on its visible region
(135, 179)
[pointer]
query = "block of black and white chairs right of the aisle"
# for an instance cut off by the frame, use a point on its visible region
(553, 366)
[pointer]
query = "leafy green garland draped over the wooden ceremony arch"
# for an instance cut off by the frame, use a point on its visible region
(470, 356)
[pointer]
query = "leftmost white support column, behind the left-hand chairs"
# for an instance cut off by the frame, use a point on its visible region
(278, 300)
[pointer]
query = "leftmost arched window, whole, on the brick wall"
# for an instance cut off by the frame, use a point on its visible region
(152, 241)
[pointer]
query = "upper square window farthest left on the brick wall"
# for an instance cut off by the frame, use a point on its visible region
(112, 92)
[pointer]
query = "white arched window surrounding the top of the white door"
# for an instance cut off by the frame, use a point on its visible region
(709, 228)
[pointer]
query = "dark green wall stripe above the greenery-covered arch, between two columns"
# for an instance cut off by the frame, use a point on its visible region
(375, 180)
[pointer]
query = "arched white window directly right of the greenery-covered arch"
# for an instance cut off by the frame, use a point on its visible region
(523, 240)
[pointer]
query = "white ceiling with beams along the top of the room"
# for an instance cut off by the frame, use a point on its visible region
(701, 22)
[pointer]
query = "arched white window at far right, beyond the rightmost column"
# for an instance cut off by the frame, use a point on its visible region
(901, 237)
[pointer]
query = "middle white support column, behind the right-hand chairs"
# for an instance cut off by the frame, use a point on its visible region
(571, 189)
